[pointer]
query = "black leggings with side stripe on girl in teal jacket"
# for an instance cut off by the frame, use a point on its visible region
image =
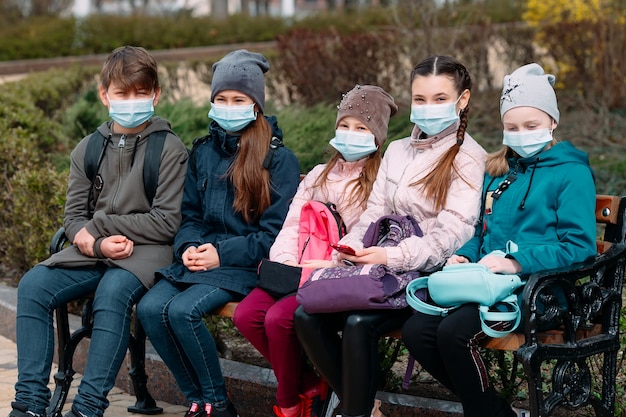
(447, 347)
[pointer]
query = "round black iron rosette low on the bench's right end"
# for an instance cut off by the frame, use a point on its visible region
(571, 380)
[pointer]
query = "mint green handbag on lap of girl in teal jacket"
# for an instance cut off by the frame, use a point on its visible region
(460, 284)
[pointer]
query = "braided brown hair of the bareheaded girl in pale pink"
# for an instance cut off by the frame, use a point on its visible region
(437, 182)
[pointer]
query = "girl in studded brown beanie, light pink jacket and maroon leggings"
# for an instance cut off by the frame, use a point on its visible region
(346, 180)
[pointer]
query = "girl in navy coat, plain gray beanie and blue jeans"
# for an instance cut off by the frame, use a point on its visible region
(239, 184)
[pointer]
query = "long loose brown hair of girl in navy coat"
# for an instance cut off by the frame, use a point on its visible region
(250, 180)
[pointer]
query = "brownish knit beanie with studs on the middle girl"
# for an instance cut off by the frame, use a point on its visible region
(371, 105)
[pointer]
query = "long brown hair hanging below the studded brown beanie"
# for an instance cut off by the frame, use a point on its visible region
(362, 185)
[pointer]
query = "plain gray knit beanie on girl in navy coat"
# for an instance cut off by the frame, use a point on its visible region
(243, 71)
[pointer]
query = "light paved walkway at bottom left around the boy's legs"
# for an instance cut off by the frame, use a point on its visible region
(119, 399)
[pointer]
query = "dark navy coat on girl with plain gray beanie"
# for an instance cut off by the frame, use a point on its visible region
(209, 217)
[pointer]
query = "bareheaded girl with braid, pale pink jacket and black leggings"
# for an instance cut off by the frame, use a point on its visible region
(435, 176)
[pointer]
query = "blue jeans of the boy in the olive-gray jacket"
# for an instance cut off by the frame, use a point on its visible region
(40, 291)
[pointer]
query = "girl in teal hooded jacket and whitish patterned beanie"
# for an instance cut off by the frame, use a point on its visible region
(538, 208)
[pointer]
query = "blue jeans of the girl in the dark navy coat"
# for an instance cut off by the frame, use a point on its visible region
(172, 318)
